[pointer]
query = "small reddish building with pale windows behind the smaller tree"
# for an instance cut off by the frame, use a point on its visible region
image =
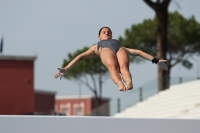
(80, 105)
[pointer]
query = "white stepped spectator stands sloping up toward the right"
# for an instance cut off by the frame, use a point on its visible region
(179, 101)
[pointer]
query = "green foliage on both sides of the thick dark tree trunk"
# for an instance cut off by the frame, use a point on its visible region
(183, 39)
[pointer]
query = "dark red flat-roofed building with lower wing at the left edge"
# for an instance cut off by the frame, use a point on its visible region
(17, 94)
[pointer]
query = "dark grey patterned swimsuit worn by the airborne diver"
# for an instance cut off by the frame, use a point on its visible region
(112, 44)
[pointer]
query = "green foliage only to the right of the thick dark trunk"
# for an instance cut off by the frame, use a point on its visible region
(183, 39)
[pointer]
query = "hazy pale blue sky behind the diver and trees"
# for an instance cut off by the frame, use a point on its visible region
(51, 29)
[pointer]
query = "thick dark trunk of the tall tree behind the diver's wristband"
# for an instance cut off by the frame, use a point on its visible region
(161, 10)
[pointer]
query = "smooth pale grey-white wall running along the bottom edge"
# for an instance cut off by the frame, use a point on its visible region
(65, 124)
